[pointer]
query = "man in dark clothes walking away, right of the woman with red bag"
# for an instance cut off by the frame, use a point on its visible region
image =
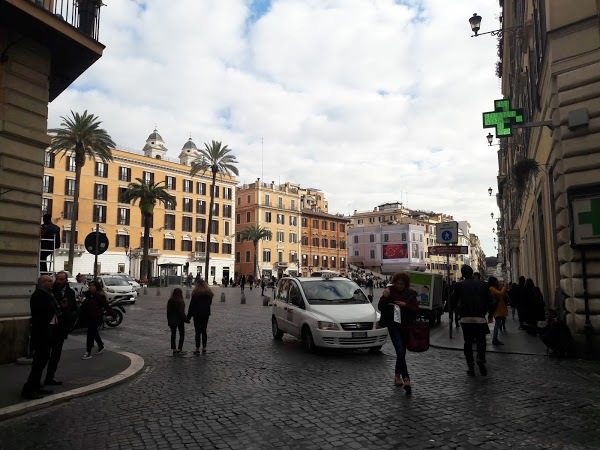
(475, 301)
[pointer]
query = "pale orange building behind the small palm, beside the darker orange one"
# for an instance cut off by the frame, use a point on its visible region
(276, 208)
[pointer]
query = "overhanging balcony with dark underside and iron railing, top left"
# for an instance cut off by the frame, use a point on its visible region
(69, 29)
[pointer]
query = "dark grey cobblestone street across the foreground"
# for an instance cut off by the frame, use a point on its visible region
(251, 392)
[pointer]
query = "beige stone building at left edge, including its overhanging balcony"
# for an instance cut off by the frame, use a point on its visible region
(42, 54)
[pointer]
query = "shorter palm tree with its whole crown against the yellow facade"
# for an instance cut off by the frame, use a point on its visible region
(148, 195)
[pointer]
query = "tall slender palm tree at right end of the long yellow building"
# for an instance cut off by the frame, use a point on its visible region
(216, 159)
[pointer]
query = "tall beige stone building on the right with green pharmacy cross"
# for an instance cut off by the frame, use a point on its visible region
(550, 66)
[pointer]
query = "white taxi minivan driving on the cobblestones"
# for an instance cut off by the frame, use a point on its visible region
(326, 312)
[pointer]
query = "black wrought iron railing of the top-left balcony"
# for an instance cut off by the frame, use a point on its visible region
(82, 14)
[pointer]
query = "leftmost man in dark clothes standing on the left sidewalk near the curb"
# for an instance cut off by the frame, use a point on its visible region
(44, 312)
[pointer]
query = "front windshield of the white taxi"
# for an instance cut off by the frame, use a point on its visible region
(326, 292)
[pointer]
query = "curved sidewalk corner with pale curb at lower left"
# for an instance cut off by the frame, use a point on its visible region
(110, 369)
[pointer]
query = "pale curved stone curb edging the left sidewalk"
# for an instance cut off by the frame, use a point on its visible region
(135, 366)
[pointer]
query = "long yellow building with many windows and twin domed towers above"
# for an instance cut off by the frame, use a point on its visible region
(178, 233)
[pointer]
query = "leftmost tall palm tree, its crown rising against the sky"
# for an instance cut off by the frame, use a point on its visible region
(80, 137)
